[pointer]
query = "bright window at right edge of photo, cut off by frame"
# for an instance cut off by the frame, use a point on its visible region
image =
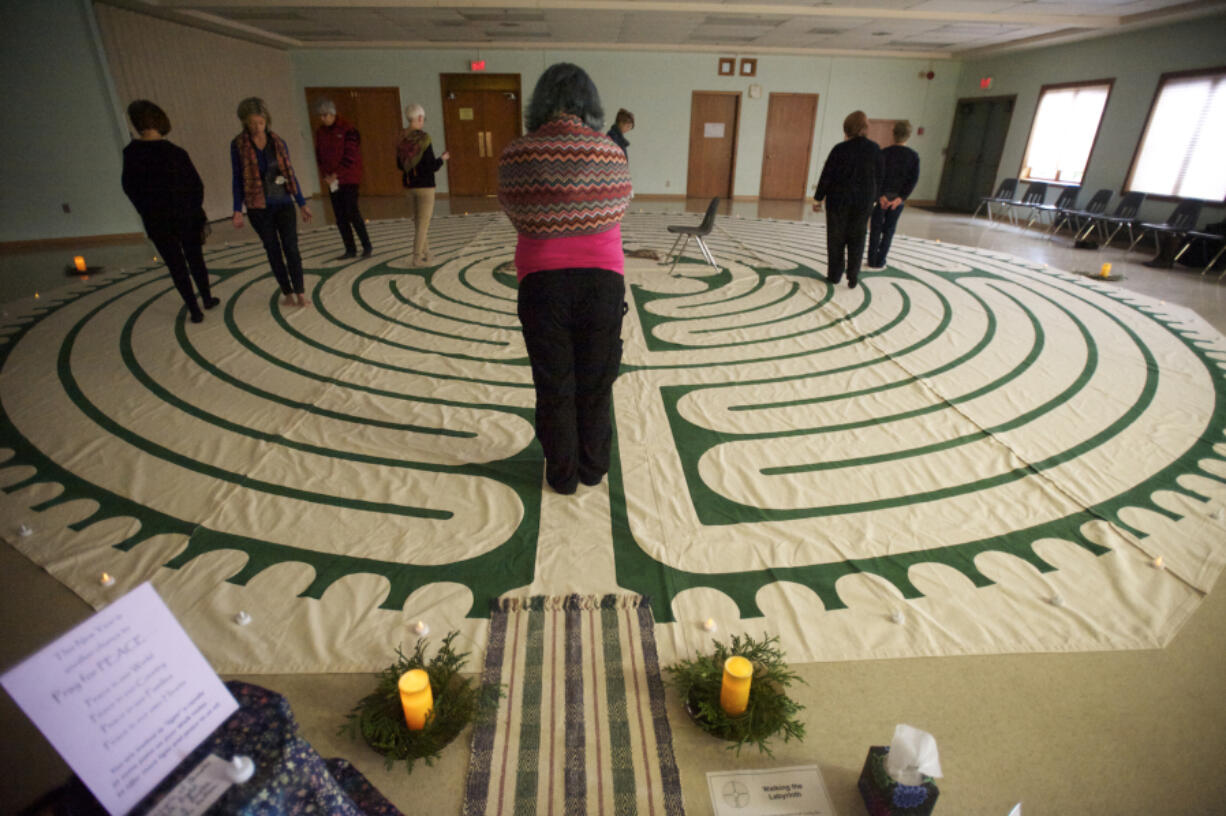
(1182, 150)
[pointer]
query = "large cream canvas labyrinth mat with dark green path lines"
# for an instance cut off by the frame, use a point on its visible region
(968, 454)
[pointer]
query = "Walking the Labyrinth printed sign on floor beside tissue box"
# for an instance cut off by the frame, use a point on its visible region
(772, 792)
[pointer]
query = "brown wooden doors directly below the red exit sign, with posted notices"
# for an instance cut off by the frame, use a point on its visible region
(481, 115)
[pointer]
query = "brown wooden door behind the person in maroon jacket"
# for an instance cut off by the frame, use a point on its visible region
(376, 113)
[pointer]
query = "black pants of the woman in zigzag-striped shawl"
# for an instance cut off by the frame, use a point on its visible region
(573, 333)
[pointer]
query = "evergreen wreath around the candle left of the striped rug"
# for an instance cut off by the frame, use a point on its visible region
(379, 717)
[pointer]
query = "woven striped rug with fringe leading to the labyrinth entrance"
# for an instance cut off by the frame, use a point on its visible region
(582, 727)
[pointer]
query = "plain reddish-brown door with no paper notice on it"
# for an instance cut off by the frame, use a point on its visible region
(789, 148)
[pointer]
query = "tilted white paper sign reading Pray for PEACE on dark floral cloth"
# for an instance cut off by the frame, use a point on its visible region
(124, 698)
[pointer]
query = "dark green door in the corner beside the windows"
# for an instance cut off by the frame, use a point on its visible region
(974, 153)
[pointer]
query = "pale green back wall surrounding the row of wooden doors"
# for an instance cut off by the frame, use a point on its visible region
(657, 86)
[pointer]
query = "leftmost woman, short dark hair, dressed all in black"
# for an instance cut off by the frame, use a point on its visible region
(167, 192)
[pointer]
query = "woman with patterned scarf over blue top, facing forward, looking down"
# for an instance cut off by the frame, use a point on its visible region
(265, 182)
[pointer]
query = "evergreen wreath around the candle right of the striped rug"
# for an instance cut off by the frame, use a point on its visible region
(771, 710)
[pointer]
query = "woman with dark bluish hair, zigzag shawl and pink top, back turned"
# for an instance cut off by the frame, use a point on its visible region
(566, 187)
